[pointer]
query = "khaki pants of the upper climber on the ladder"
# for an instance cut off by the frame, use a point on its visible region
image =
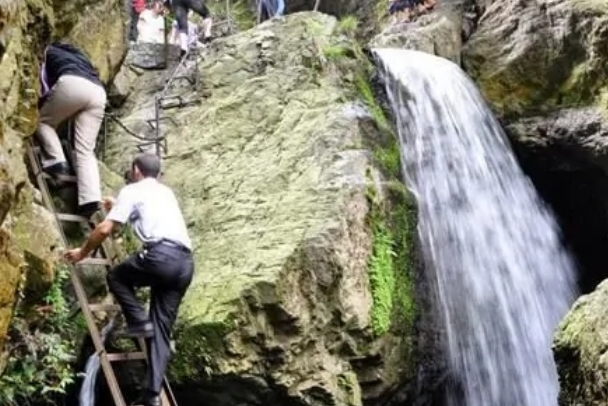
(84, 102)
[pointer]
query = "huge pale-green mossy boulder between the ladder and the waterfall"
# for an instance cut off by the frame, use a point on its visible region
(297, 297)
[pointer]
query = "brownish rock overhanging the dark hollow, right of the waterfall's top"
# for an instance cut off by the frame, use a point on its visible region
(536, 56)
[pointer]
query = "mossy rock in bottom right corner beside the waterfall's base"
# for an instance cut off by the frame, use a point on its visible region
(580, 351)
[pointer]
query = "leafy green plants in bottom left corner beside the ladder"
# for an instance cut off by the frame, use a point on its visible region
(40, 351)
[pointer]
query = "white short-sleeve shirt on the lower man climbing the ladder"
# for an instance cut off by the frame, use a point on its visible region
(153, 211)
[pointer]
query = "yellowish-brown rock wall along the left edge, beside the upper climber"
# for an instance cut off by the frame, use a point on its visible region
(28, 239)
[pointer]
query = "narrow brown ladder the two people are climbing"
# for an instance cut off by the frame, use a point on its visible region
(102, 257)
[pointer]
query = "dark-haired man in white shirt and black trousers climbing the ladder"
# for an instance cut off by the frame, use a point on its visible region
(165, 263)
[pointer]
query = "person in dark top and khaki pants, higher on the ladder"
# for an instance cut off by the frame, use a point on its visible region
(71, 89)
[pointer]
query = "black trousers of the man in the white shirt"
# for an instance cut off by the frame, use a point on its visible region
(168, 270)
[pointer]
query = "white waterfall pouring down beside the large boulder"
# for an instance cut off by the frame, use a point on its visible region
(504, 279)
